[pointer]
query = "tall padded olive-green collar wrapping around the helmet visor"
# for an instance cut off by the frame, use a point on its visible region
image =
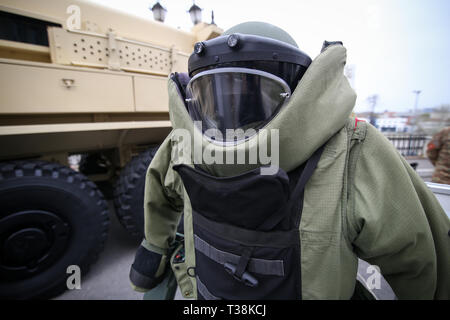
(310, 118)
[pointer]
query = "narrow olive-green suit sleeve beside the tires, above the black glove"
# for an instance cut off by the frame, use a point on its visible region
(163, 202)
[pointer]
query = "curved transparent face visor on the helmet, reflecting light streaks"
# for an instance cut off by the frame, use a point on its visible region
(228, 99)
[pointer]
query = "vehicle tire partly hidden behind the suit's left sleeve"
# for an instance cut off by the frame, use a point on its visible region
(129, 193)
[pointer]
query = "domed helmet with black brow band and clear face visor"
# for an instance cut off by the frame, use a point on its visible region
(242, 79)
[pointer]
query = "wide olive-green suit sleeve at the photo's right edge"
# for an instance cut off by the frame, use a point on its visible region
(398, 224)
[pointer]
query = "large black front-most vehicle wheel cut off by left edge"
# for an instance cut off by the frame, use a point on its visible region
(52, 217)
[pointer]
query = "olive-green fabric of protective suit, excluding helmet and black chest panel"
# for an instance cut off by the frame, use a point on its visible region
(363, 200)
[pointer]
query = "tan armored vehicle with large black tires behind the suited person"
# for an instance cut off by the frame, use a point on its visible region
(77, 79)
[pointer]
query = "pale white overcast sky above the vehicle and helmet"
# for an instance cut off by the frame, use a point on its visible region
(393, 46)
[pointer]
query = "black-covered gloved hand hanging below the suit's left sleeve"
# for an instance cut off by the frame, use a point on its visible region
(148, 269)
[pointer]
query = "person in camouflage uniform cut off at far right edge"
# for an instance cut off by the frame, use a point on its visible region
(438, 151)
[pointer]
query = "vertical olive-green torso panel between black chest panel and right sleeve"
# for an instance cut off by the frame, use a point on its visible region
(328, 263)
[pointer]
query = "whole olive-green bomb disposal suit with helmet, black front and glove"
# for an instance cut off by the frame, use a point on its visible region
(280, 188)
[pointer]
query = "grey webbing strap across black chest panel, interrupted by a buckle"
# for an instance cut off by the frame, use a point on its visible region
(255, 265)
